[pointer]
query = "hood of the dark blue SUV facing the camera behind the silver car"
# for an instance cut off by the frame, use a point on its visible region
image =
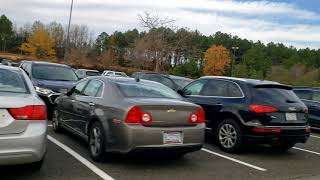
(57, 86)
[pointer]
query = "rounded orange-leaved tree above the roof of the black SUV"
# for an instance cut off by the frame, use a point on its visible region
(216, 60)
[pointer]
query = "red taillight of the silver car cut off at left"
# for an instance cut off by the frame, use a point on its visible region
(37, 112)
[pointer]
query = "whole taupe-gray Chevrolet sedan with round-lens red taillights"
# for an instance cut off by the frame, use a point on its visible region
(125, 115)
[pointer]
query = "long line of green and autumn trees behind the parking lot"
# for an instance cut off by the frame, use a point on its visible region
(163, 47)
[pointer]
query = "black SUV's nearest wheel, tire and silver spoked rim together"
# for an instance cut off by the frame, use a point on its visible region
(229, 136)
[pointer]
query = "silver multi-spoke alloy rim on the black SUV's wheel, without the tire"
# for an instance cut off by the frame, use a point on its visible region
(227, 136)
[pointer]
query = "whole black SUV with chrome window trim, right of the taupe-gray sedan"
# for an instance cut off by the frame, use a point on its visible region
(239, 111)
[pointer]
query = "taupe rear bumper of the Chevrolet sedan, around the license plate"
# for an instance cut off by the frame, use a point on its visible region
(138, 138)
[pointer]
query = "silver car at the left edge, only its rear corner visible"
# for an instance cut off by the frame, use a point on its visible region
(23, 120)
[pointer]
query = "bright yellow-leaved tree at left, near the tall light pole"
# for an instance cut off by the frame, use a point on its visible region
(39, 45)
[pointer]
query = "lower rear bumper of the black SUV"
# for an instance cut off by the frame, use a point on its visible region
(287, 134)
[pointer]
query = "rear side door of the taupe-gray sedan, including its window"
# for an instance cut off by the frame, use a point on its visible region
(85, 105)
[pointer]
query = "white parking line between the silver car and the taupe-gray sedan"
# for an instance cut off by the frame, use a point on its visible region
(84, 161)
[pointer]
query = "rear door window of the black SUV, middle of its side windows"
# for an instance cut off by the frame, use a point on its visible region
(215, 88)
